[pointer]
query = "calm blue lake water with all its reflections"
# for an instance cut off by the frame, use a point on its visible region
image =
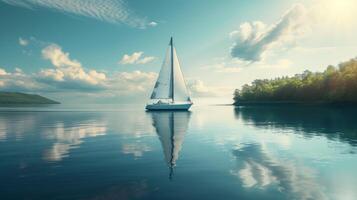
(212, 152)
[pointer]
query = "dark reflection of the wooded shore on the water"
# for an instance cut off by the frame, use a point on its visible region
(333, 123)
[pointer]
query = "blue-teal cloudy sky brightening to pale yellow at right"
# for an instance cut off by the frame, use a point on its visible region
(111, 51)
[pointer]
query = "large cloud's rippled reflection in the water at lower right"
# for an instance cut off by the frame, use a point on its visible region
(259, 169)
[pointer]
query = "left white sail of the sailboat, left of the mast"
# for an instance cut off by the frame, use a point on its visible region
(163, 83)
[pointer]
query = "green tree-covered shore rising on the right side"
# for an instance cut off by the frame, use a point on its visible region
(334, 85)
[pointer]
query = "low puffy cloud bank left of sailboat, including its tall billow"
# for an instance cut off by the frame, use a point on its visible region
(69, 75)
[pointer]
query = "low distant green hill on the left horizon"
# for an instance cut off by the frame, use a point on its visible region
(22, 98)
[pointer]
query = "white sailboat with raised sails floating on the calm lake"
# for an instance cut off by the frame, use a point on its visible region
(170, 91)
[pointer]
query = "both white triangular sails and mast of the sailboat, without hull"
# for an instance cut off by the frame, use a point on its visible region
(170, 83)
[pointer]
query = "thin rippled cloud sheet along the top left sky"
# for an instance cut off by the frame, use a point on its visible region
(113, 11)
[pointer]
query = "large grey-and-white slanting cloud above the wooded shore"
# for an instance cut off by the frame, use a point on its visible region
(252, 40)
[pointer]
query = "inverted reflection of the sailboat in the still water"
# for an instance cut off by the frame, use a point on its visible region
(171, 127)
